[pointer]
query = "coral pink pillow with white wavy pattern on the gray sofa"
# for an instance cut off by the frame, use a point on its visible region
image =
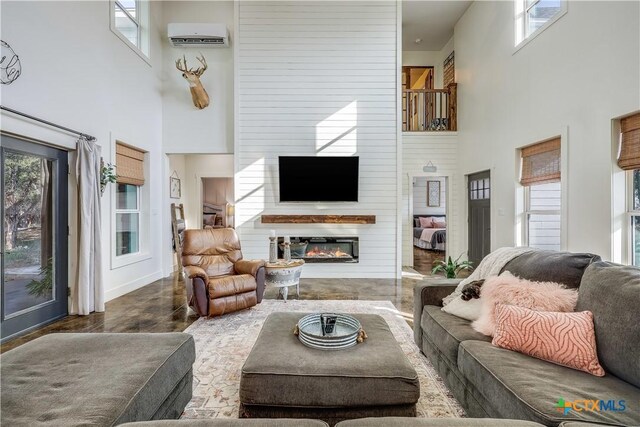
(566, 339)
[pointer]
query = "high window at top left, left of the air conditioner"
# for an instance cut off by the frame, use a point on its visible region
(130, 22)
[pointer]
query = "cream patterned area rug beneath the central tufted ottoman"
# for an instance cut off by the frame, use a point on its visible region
(223, 344)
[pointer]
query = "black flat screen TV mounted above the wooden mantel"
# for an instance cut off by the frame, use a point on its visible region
(318, 179)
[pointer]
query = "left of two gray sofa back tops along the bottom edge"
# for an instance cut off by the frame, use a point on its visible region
(229, 422)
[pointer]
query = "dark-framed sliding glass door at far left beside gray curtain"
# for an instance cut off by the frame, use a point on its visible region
(33, 282)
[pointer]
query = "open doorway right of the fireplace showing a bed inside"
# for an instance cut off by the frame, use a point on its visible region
(429, 221)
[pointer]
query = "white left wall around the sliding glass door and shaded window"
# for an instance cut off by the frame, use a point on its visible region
(81, 75)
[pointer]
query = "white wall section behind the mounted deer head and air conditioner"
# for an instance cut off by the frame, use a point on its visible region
(185, 128)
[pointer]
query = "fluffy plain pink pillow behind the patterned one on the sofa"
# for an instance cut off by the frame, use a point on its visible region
(509, 289)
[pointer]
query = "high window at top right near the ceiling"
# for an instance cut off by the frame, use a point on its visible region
(533, 16)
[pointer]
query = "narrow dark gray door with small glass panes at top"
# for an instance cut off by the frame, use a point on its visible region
(479, 200)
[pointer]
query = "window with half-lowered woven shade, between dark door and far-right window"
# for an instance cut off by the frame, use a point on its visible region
(540, 177)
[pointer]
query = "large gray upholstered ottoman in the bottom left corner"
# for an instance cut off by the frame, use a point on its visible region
(96, 379)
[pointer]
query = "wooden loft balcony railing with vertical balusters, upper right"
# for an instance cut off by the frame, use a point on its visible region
(430, 110)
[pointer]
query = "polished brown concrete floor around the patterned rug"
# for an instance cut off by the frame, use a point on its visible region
(162, 307)
